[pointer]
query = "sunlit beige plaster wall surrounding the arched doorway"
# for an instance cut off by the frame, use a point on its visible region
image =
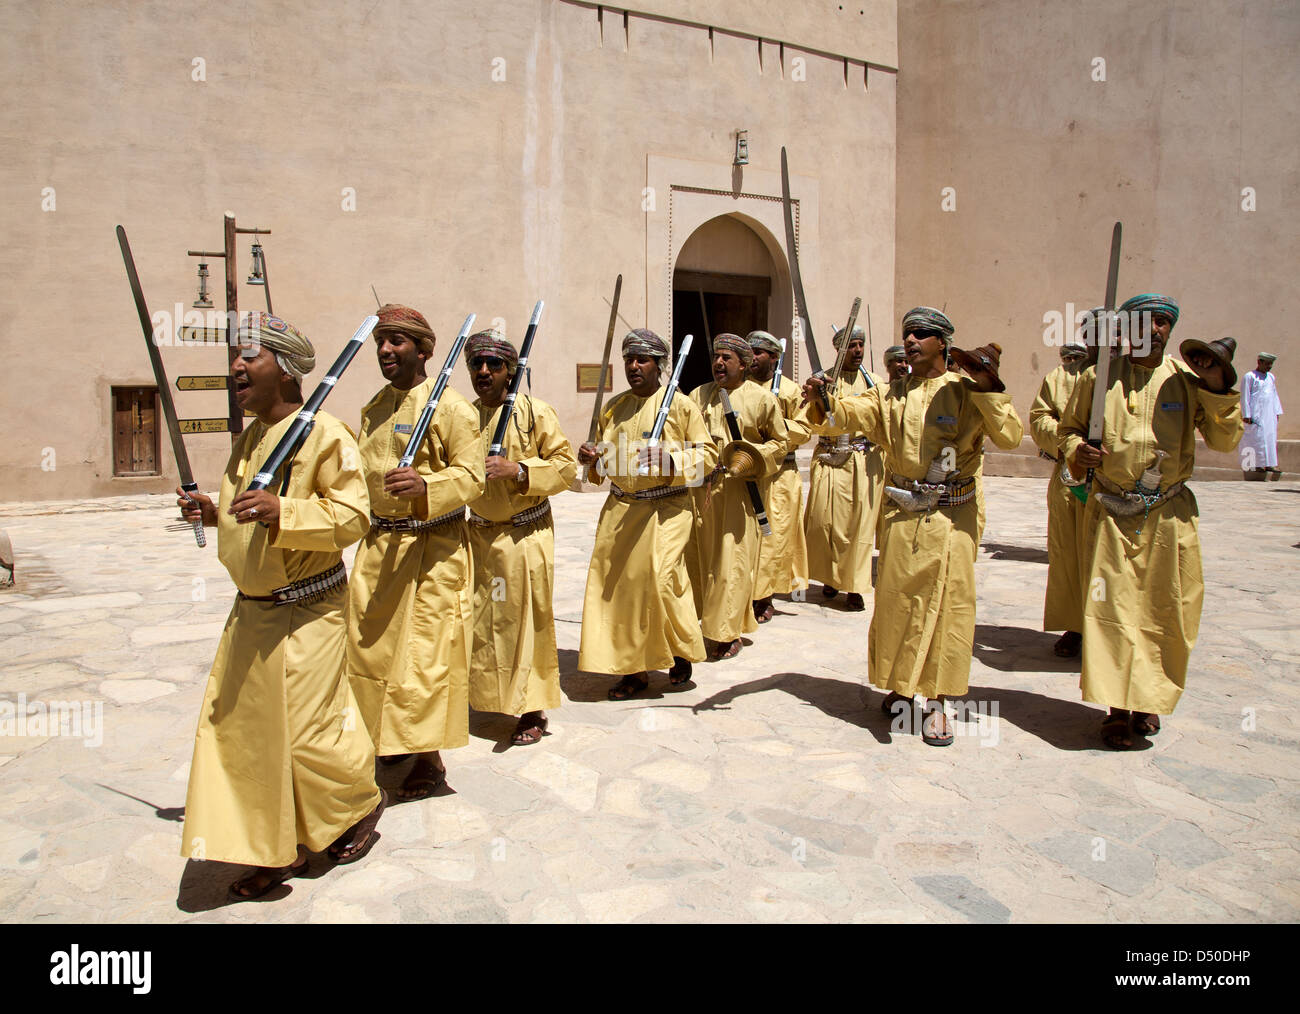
(471, 194)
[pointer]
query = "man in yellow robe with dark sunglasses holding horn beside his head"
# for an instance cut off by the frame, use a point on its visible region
(933, 427)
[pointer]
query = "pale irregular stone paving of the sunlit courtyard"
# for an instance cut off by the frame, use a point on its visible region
(772, 791)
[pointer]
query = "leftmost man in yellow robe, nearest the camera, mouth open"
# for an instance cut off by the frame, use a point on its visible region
(280, 761)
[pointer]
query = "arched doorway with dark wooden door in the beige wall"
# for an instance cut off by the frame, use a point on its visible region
(725, 280)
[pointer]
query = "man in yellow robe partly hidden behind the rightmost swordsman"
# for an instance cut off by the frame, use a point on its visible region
(1063, 605)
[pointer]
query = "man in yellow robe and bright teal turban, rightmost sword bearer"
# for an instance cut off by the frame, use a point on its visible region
(1143, 606)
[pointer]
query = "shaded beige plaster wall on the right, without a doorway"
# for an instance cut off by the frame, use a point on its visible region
(996, 99)
